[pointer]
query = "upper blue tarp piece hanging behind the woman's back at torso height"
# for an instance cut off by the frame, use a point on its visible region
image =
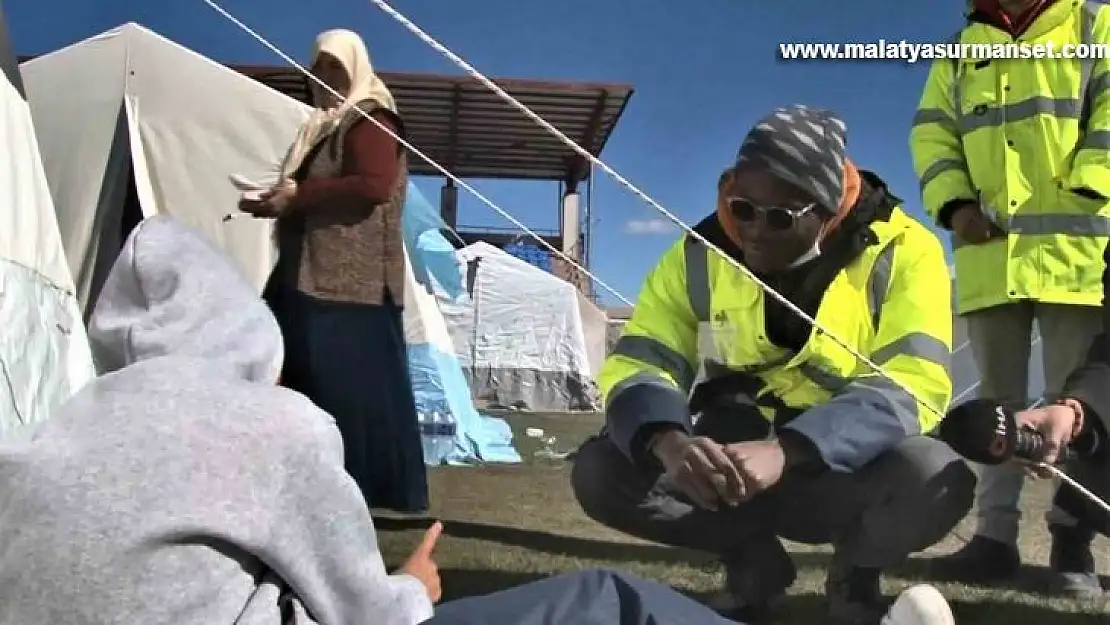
(431, 255)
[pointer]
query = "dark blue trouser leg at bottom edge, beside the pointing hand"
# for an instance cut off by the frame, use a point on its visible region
(586, 598)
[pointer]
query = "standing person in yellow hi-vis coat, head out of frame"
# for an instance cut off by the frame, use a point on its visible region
(1014, 158)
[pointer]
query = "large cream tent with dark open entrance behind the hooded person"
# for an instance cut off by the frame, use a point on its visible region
(153, 127)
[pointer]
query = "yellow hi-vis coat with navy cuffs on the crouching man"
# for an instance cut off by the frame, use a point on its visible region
(893, 305)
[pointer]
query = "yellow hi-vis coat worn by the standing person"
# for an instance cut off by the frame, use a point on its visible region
(1028, 139)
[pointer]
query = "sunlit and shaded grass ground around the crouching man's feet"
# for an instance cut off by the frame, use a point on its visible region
(508, 526)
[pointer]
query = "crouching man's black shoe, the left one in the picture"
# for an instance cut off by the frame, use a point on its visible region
(755, 582)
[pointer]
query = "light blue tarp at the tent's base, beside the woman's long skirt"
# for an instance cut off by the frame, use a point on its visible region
(460, 436)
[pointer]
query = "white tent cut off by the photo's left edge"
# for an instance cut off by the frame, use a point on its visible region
(44, 349)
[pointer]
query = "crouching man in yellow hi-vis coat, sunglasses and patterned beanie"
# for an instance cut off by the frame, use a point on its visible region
(794, 436)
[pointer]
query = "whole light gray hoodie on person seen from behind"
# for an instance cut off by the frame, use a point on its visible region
(184, 486)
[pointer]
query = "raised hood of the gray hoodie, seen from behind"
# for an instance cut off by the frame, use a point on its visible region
(171, 294)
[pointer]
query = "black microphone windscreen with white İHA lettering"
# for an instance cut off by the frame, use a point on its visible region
(982, 431)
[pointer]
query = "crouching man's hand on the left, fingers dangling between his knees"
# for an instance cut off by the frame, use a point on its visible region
(701, 470)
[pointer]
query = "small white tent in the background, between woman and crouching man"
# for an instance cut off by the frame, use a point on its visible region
(521, 335)
